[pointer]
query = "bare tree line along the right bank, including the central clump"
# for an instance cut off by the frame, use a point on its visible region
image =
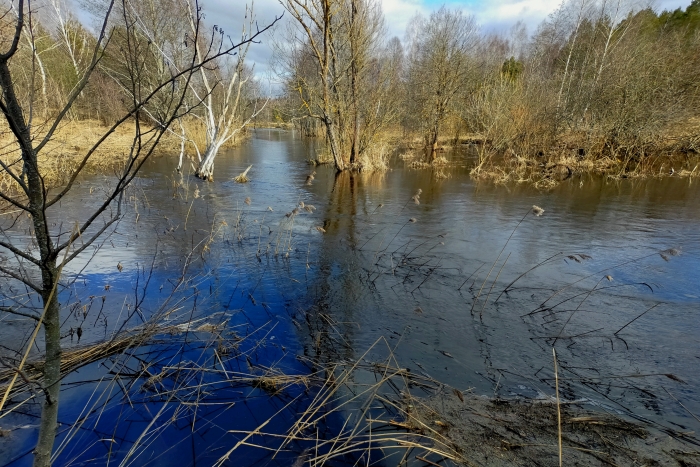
(597, 79)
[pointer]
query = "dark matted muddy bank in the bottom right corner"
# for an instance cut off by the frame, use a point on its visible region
(498, 431)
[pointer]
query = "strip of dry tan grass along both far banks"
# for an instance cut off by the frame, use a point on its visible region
(677, 153)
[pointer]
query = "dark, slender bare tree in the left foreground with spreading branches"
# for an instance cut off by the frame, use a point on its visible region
(36, 204)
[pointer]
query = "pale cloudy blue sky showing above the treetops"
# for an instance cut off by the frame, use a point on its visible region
(491, 15)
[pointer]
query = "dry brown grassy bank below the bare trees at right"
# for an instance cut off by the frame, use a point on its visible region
(677, 154)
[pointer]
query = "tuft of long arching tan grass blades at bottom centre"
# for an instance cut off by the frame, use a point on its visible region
(346, 390)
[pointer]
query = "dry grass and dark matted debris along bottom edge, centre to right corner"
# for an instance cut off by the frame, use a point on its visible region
(404, 418)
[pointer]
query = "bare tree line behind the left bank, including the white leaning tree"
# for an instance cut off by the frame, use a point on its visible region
(146, 43)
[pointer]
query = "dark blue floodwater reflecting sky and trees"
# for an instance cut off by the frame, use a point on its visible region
(368, 263)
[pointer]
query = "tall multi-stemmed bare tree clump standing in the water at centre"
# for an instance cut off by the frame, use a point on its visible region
(339, 72)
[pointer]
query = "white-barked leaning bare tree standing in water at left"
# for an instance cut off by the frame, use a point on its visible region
(222, 96)
